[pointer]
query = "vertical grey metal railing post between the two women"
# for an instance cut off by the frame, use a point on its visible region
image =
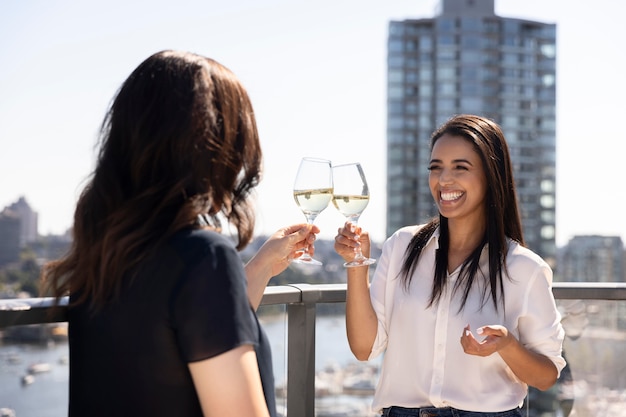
(301, 359)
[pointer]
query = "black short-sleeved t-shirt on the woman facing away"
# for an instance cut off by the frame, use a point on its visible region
(188, 303)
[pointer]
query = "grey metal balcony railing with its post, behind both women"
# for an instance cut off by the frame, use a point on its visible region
(301, 302)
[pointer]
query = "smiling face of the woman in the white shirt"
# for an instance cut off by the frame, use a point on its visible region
(457, 179)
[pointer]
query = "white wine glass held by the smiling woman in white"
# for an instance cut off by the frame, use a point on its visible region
(351, 196)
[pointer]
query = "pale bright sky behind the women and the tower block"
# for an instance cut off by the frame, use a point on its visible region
(315, 72)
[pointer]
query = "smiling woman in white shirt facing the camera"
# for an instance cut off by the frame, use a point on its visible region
(461, 309)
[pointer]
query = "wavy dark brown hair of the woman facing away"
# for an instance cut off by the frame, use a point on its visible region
(178, 142)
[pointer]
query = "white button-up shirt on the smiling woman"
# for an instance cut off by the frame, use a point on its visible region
(424, 363)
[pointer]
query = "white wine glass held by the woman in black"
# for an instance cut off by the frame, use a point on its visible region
(312, 190)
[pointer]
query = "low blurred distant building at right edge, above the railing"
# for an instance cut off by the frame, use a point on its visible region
(592, 259)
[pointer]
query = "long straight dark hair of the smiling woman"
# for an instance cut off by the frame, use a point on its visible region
(503, 220)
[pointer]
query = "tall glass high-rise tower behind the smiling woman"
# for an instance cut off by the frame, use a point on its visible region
(467, 59)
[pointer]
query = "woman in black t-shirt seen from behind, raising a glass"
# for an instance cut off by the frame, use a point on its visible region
(162, 310)
